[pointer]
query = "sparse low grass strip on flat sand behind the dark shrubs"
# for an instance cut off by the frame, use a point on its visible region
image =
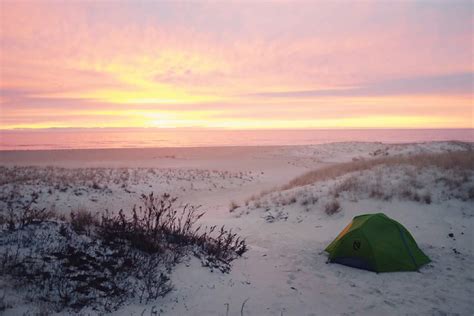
(79, 186)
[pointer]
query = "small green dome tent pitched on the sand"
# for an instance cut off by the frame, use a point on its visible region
(377, 243)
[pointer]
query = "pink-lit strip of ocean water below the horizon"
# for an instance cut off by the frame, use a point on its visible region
(155, 137)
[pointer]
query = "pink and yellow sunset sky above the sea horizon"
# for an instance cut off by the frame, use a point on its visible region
(236, 64)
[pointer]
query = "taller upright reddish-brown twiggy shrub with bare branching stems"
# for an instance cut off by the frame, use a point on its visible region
(160, 224)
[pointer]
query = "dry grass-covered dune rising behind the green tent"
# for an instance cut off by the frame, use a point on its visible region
(422, 178)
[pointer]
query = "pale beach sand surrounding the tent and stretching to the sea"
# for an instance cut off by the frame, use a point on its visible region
(285, 271)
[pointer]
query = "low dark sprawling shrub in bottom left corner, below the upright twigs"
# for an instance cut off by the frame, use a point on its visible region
(70, 273)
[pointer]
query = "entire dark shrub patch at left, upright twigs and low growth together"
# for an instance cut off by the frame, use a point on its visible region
(99, 263)
